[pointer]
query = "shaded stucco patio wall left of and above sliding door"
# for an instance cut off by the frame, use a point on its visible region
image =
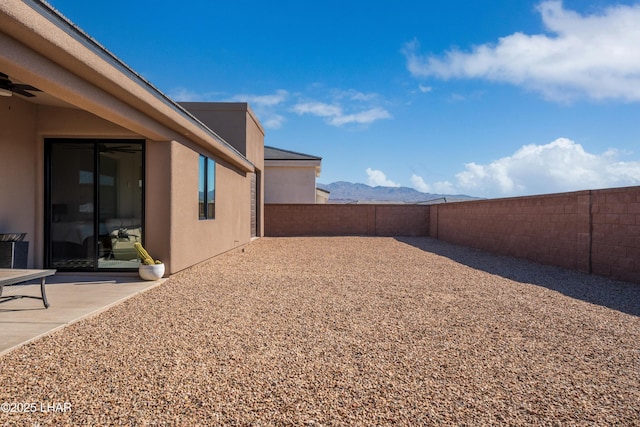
(23, 127)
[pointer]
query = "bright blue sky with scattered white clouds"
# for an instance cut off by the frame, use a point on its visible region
(488, 98)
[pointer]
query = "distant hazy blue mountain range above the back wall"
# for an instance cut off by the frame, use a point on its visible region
(348, 192)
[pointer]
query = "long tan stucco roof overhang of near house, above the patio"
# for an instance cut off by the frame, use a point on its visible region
(45, 50)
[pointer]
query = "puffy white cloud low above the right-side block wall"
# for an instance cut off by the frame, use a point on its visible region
(559, 166)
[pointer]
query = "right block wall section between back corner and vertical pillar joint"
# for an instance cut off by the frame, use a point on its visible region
(550, 229)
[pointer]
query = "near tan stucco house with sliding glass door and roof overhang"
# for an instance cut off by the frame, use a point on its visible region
(94, 157)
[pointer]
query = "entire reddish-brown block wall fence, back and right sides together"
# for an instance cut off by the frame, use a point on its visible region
(594, 231)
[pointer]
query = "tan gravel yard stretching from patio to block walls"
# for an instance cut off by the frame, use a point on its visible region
(345, 331)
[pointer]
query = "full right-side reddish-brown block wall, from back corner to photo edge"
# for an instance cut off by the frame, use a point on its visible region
(592, 231)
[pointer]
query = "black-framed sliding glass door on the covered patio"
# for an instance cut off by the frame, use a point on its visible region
(94, 203)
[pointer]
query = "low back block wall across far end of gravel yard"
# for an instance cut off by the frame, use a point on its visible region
(340, 220)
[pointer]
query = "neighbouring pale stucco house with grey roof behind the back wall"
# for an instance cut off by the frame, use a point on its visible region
(290, 177)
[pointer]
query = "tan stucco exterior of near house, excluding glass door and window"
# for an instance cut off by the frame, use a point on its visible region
(104, 99)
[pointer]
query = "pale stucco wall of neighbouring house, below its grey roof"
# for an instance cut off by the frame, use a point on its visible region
(289, 184)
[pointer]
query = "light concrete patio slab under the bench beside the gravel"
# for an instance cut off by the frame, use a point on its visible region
(72, 298)
